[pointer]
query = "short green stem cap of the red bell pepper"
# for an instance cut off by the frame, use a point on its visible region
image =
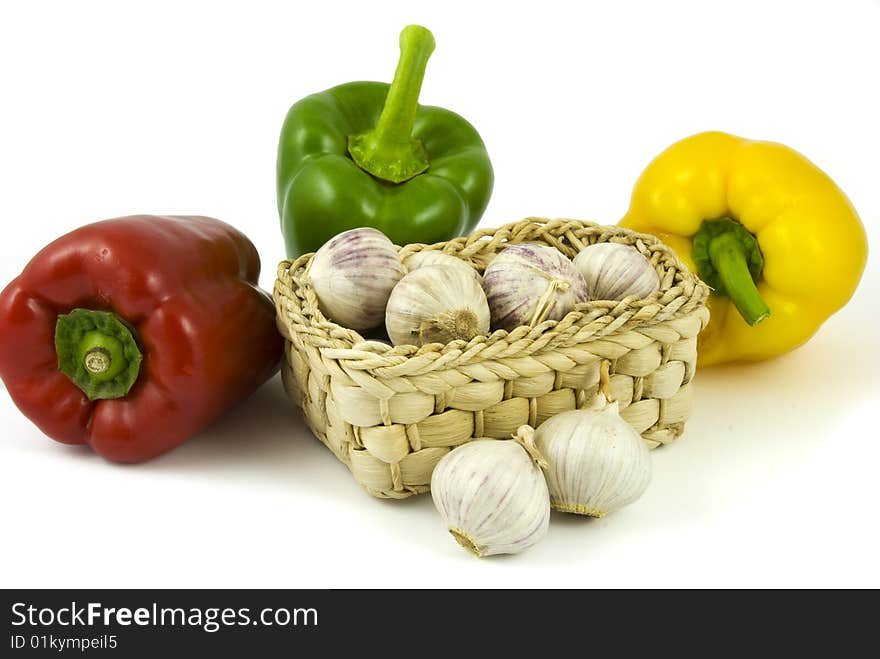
(98, 351)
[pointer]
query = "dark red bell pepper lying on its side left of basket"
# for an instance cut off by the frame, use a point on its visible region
(131, 335)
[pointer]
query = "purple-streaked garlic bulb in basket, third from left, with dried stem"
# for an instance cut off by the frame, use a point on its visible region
(528, 284)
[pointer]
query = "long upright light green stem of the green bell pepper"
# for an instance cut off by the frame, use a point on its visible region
(389, 151)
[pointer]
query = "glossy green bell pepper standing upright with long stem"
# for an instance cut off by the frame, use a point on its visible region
(367, 154)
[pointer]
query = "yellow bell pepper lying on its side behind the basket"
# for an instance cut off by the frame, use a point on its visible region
(779, 243)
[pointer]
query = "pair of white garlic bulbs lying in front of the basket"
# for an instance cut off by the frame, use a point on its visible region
(495, 495)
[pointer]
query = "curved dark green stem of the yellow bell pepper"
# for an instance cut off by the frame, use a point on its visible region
(729, 260)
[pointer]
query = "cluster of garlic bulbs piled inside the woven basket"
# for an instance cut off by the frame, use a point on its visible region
(357, 280)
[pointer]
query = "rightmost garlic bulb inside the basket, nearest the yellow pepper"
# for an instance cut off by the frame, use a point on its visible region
(614, 271)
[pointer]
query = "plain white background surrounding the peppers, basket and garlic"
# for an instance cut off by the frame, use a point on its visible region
(112, 108)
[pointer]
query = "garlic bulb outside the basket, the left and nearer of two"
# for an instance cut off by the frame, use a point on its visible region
(492, 495)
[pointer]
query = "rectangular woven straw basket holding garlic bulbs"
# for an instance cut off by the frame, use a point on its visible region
(391, 413)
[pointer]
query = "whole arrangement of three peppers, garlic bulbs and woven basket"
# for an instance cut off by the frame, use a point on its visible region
(131, 335)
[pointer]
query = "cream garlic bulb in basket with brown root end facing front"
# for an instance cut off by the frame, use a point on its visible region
(435, 304)
